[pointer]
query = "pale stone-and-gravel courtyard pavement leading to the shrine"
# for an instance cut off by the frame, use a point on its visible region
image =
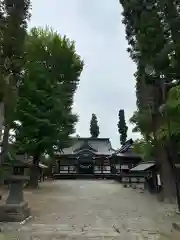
(92, 209)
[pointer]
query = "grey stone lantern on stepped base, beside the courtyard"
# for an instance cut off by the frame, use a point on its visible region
(15, 209)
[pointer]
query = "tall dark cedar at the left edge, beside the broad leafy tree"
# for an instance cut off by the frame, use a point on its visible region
(13, 17)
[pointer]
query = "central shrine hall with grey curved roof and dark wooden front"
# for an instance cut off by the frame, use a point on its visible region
(86, 157)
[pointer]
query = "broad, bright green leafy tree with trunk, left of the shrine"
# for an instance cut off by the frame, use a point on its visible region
(44, 109)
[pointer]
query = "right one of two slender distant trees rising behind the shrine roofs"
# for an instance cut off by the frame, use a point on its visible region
(122, 127)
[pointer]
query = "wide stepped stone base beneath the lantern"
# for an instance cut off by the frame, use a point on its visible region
(14, 212)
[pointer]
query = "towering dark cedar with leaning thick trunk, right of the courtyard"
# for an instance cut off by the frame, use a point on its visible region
(151, 31)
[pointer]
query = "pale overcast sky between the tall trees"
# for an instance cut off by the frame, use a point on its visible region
(107, 82)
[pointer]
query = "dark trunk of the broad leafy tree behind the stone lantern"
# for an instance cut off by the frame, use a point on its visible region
(34, 172)
